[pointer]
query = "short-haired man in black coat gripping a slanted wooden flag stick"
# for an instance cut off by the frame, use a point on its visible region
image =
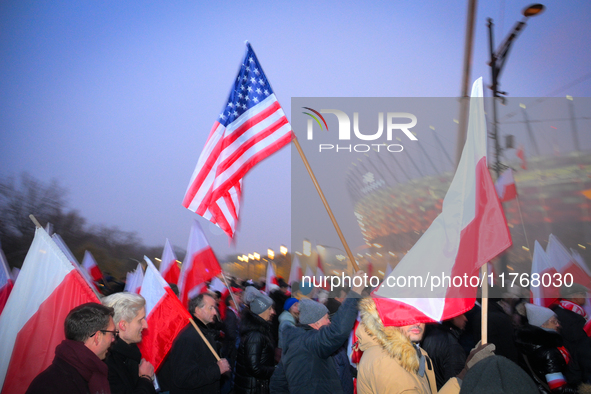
(192, 366)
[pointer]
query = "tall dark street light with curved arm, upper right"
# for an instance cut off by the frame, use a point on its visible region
(497, 62)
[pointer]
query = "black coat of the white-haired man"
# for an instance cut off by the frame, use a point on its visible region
(123, 361)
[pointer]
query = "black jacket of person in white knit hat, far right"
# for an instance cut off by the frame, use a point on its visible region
(545, 358)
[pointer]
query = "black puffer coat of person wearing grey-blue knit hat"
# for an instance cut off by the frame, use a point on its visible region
(255, 361)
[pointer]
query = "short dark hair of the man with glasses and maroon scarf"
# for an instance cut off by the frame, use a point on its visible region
(86, 319)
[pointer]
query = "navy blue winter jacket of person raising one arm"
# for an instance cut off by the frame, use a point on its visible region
(307, 365)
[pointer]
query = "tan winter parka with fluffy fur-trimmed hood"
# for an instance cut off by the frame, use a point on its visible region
(390, 362)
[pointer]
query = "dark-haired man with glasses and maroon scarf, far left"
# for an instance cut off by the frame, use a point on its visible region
(78, 366)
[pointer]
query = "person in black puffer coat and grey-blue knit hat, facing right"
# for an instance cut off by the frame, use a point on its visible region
(255, 362)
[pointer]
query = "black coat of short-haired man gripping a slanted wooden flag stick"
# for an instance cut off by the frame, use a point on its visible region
(193, 368)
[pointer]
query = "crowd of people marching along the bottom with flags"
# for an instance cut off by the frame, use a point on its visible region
(284, 342)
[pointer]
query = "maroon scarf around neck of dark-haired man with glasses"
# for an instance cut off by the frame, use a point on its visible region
(92, 369)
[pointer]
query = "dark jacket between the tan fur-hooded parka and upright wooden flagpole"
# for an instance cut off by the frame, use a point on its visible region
(444, 349)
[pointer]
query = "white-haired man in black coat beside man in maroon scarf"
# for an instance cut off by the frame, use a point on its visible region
(128, 371)
